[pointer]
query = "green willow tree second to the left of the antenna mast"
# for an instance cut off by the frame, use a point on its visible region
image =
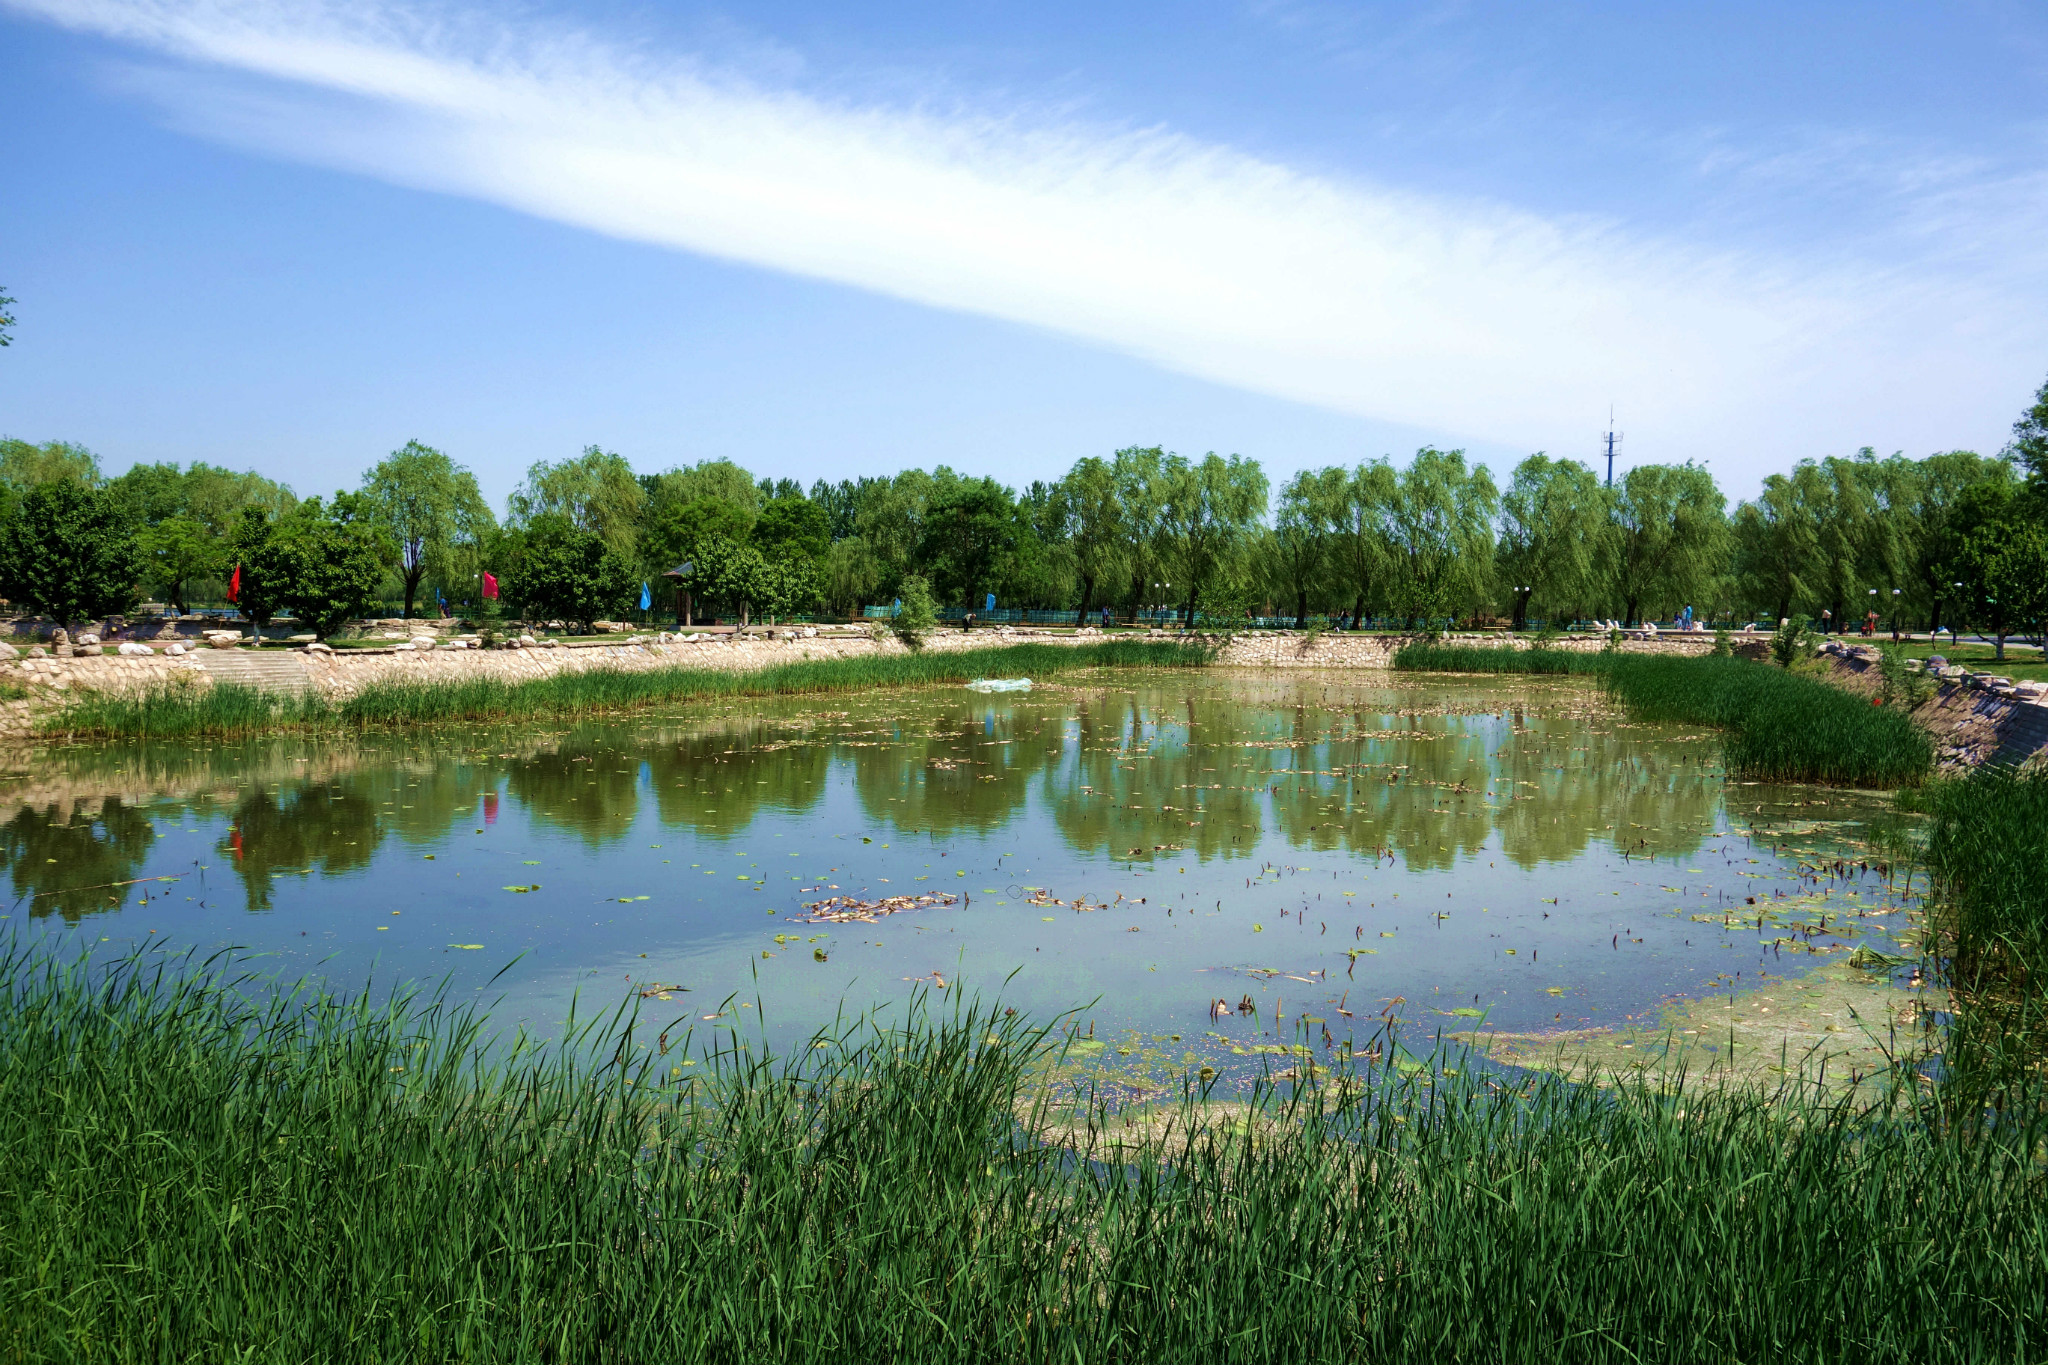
(1443, 533)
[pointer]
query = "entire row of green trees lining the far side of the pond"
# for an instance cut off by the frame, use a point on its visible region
(1940, 539)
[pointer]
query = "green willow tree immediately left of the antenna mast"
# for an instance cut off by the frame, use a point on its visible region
(1553, 521)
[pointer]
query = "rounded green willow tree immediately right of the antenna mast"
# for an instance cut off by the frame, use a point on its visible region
(1668, 535)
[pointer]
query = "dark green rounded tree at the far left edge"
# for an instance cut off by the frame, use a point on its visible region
(69, 552)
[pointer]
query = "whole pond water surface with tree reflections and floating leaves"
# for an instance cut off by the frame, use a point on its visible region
(1134, 846)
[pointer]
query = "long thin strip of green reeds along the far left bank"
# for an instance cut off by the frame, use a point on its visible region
(237, 711)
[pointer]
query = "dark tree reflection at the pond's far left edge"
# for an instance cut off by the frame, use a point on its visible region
(62, 858)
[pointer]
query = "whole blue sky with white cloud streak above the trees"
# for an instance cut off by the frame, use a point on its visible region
(830, 240)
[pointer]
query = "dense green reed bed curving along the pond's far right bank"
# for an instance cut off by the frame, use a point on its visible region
(1781, 728)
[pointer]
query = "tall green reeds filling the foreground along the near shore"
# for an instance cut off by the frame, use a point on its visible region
(198, 1170)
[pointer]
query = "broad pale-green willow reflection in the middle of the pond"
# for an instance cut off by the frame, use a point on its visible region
(1156, 779)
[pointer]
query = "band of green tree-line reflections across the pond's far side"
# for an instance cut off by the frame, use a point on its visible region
(1121, 768)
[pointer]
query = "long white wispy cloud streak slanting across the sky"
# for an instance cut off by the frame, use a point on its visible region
(1467, 318)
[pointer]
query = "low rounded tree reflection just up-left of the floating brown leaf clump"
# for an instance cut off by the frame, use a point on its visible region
(718, 783)
